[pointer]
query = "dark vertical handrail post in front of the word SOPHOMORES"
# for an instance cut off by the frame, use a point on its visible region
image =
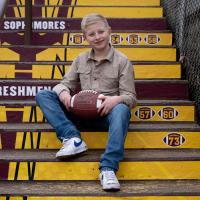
(28, 22)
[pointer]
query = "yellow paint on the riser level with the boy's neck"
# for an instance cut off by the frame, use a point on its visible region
(134, 54)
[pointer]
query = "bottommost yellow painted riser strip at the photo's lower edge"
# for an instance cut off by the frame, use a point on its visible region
(107, 198)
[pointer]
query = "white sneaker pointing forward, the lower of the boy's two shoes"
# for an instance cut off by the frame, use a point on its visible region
(109, 180)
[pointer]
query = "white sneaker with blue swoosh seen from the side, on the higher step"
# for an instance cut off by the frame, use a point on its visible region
(71, 147)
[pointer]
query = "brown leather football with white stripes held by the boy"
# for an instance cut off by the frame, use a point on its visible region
(85, 104)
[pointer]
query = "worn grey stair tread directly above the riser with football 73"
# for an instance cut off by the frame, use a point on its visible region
(150, 126)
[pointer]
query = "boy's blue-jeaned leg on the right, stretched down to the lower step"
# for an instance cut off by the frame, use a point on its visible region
(118, 120)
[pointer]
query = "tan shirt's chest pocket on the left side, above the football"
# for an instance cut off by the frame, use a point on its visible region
(84, 76)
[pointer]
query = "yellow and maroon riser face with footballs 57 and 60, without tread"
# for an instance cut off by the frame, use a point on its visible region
(20, 113)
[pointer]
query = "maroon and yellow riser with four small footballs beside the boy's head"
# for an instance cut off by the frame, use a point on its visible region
(132, 38)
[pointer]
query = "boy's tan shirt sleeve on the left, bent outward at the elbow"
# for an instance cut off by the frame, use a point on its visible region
(70, 81)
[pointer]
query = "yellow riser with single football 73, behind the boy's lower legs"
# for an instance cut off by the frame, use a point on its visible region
(48, 140)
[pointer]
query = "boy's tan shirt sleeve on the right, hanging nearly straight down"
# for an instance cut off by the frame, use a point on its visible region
(127, 84)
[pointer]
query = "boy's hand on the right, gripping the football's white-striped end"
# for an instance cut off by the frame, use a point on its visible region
(108, 103)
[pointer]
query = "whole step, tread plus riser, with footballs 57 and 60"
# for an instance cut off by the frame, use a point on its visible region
(145, 111)
